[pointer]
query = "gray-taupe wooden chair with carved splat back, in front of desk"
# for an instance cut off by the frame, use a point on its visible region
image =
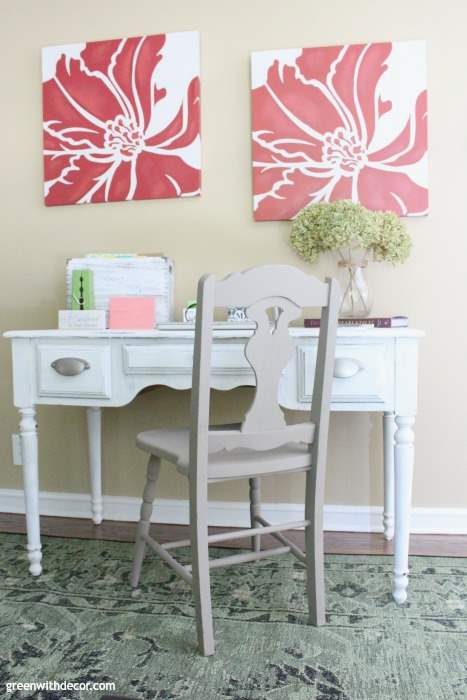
(263, 444)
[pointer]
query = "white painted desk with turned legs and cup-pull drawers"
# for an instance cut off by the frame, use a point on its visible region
(376, 370)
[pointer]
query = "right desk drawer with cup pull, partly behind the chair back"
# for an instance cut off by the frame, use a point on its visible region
(362, 373)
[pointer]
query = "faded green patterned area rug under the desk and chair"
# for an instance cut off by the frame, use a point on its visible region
(80, 621)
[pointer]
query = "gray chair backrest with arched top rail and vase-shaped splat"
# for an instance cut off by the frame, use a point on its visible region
(274, 295)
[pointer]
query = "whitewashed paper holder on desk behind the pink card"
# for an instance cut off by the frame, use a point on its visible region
(128, 275)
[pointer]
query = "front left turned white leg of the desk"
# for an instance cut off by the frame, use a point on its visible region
(29, 453)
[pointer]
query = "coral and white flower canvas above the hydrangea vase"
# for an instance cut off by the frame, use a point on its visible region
(340, 122)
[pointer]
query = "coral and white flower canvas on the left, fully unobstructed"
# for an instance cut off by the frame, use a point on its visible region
(122, 119)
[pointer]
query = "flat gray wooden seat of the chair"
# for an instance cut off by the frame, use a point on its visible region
(173, 445)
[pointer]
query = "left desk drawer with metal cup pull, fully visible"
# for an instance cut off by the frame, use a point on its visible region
(93, 377)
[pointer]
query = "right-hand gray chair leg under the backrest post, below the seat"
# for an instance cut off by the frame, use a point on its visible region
(314, 551)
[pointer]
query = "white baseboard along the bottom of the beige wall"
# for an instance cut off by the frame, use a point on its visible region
(341, 518)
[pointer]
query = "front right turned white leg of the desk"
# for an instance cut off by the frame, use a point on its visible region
(403, 463)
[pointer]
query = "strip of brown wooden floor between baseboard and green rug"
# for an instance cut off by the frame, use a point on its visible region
(334, 542)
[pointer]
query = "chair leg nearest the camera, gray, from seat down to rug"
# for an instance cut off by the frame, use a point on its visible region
(200, 568)
